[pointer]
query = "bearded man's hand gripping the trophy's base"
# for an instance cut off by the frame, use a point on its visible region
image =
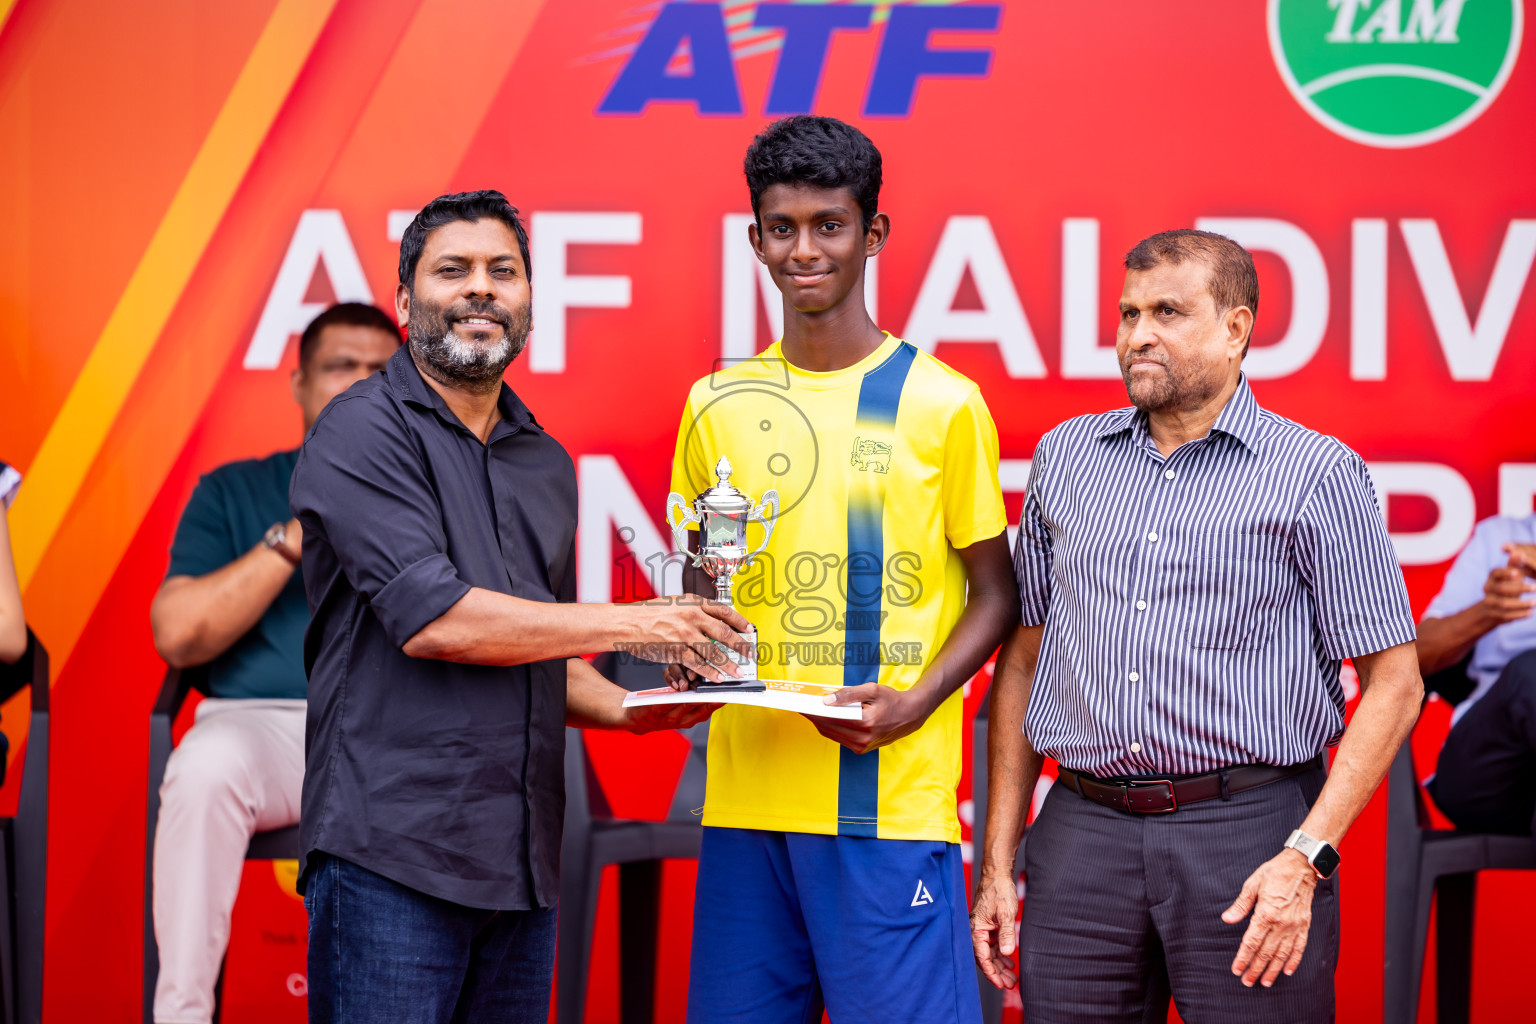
(689, 632)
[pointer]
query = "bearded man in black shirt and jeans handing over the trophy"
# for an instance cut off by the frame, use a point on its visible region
(445, 652)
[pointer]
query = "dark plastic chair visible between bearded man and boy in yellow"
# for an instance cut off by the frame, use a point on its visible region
(595, 839)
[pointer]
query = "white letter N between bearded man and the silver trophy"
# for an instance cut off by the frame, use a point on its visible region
(607, 503)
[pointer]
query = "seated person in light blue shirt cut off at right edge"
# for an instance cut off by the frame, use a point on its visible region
(1486, 779)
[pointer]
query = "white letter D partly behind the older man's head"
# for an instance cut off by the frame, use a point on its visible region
(1309, 291)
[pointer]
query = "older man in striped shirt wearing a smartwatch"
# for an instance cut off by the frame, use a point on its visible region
(1193, 572)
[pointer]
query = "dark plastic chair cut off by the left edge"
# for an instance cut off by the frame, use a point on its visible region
(24, 851)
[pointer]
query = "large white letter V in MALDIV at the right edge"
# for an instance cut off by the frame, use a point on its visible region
(1471, 349)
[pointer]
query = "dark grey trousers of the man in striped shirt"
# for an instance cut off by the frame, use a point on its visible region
(1124, 911)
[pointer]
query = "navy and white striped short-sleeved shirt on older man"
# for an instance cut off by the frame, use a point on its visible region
(1197, 607)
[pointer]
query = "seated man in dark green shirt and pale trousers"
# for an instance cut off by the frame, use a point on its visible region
(234, 601)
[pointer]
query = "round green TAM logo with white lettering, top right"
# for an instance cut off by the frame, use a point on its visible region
(1395, 73)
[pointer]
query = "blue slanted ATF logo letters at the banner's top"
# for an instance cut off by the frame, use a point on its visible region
(709, 79)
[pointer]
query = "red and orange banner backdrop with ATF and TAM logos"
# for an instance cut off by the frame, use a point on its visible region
(187, 187)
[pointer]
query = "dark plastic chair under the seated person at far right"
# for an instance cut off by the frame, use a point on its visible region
(1425, 864)
